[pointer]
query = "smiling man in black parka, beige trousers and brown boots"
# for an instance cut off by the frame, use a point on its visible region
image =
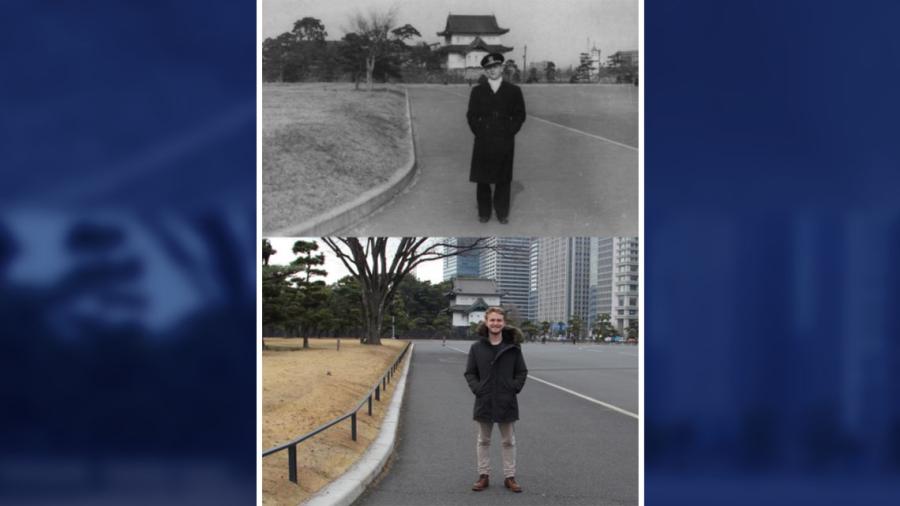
(496, 372)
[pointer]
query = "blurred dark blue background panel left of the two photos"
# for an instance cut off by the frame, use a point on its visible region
(128, 253)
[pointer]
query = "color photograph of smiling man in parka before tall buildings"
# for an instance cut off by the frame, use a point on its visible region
(388, 362)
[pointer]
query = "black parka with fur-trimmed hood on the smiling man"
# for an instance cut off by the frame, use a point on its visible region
(495, 376)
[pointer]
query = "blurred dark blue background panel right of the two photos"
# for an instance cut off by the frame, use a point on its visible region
(772, 232)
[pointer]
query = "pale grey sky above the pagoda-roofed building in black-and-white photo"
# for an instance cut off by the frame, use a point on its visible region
(553, 30)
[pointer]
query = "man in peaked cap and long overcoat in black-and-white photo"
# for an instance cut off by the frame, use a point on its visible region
(495, 115)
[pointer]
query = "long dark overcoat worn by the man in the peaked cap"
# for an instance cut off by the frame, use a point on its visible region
(495, 119)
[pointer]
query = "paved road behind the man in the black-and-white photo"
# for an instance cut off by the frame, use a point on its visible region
(576, 168)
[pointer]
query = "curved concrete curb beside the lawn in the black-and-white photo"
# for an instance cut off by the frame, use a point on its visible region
(343, 216)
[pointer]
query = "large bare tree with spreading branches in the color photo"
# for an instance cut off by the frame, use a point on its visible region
(380, 269)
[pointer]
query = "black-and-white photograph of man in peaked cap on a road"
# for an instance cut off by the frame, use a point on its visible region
(454, 117)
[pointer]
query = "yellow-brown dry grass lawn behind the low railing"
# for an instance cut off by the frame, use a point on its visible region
(300, 395)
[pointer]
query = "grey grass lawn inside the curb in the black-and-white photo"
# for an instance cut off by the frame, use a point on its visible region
(324, 144)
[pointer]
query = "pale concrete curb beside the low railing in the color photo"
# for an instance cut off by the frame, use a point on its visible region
(348, 488)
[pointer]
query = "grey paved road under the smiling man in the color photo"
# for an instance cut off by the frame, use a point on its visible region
(571, 451)
